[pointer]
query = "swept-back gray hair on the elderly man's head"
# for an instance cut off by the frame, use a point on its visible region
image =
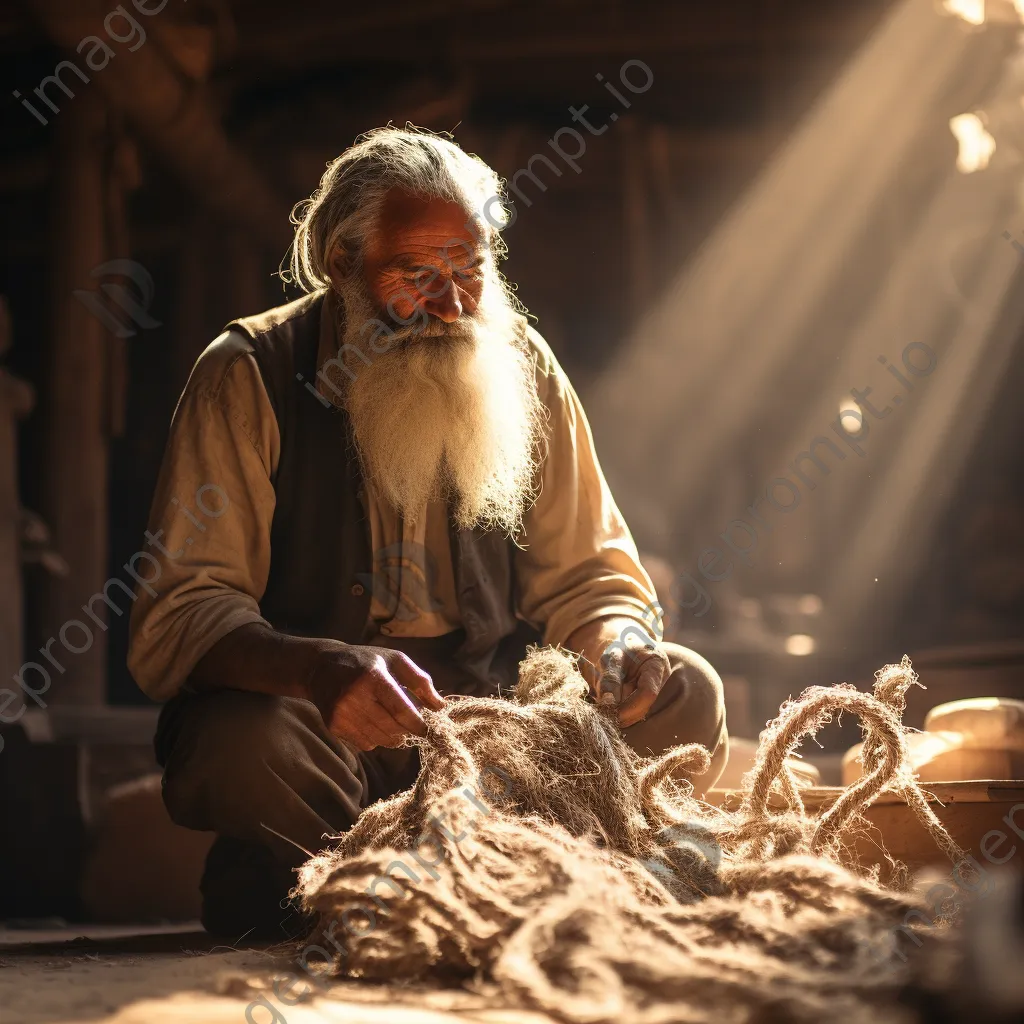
(342, 214)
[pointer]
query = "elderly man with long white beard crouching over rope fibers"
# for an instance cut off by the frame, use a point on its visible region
(396, 491)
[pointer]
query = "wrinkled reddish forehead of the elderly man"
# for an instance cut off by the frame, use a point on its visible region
(414, 226)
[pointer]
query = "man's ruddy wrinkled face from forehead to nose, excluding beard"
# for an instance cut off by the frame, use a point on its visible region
(423, 266)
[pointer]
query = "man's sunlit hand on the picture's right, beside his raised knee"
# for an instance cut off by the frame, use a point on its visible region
(624, 665)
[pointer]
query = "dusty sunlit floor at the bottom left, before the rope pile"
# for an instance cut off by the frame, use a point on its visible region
(179, 975)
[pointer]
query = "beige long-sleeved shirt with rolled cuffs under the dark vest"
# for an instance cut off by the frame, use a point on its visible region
(209, 534)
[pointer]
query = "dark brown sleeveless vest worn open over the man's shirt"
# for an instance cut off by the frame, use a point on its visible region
(320, 540)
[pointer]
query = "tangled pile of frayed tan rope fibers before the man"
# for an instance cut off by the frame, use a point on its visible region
(592, 894)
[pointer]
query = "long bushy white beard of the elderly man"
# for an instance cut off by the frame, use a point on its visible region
(450, 412)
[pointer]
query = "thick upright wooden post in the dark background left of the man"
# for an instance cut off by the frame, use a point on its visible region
(76, 452)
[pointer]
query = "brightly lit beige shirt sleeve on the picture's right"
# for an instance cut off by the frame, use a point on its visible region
(579, 562)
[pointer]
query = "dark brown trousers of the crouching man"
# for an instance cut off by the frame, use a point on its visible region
(265, 773)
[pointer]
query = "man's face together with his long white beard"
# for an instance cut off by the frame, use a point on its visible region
(449, 408)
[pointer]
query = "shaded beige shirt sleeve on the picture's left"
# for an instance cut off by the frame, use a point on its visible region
(207, 552)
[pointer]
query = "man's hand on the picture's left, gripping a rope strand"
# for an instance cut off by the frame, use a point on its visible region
(360, 693)
